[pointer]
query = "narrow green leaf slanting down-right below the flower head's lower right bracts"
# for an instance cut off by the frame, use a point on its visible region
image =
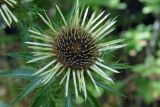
(108, 88)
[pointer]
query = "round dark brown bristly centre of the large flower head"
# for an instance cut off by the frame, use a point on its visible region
(75, 48)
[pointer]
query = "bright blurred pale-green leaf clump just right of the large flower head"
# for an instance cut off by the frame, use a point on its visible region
(137, 38)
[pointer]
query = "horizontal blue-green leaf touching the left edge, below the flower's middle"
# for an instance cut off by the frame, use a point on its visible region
(20, 73)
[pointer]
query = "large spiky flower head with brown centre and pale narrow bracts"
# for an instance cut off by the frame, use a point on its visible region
(74, 52)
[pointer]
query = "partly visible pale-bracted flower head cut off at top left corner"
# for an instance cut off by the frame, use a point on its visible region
(6, 14)
